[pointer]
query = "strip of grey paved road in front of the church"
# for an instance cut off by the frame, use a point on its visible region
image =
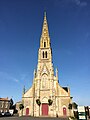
(31, 118)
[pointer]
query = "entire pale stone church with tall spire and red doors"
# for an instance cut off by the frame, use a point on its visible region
(46, 97)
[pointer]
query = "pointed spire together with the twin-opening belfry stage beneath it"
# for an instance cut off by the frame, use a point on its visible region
(45, 53)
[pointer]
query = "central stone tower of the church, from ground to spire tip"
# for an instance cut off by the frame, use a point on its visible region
(44, 78)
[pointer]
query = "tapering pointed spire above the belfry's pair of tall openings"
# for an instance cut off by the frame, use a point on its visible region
(45, 39)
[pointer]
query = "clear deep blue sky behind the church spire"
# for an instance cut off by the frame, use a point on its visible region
(20, 31)
